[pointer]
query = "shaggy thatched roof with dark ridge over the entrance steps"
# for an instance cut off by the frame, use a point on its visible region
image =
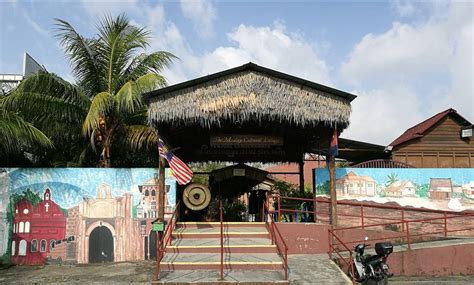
(249, 93)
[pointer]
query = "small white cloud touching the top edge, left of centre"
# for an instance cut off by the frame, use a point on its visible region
(202, 14)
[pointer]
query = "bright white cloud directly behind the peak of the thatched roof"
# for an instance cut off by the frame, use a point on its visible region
(272, 47)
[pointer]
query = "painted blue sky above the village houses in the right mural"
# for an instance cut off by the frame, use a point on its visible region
(417, 175)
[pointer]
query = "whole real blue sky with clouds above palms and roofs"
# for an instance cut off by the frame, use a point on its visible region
(406, 60)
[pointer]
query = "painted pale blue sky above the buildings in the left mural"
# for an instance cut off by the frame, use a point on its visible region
(70, 186)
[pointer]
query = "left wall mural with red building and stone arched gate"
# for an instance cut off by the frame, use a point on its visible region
(80, 215)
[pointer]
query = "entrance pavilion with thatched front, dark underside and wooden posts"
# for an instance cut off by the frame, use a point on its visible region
(248, 114)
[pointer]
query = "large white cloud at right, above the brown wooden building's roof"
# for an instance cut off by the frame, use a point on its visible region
(429, 65)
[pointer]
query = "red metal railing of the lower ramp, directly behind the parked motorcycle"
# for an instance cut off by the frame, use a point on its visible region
(407, 236)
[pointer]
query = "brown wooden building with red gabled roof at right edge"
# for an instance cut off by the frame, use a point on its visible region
(436, 143)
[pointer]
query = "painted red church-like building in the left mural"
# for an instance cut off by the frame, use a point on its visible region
(36, 229)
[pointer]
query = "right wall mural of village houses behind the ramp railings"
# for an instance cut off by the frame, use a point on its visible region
(434, 188)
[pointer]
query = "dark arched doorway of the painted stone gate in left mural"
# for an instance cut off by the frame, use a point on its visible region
(101, 245)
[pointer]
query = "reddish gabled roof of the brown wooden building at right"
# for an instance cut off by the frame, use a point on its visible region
(418, 131)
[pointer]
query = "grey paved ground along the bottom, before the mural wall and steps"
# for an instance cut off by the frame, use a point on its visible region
(303, 269)
